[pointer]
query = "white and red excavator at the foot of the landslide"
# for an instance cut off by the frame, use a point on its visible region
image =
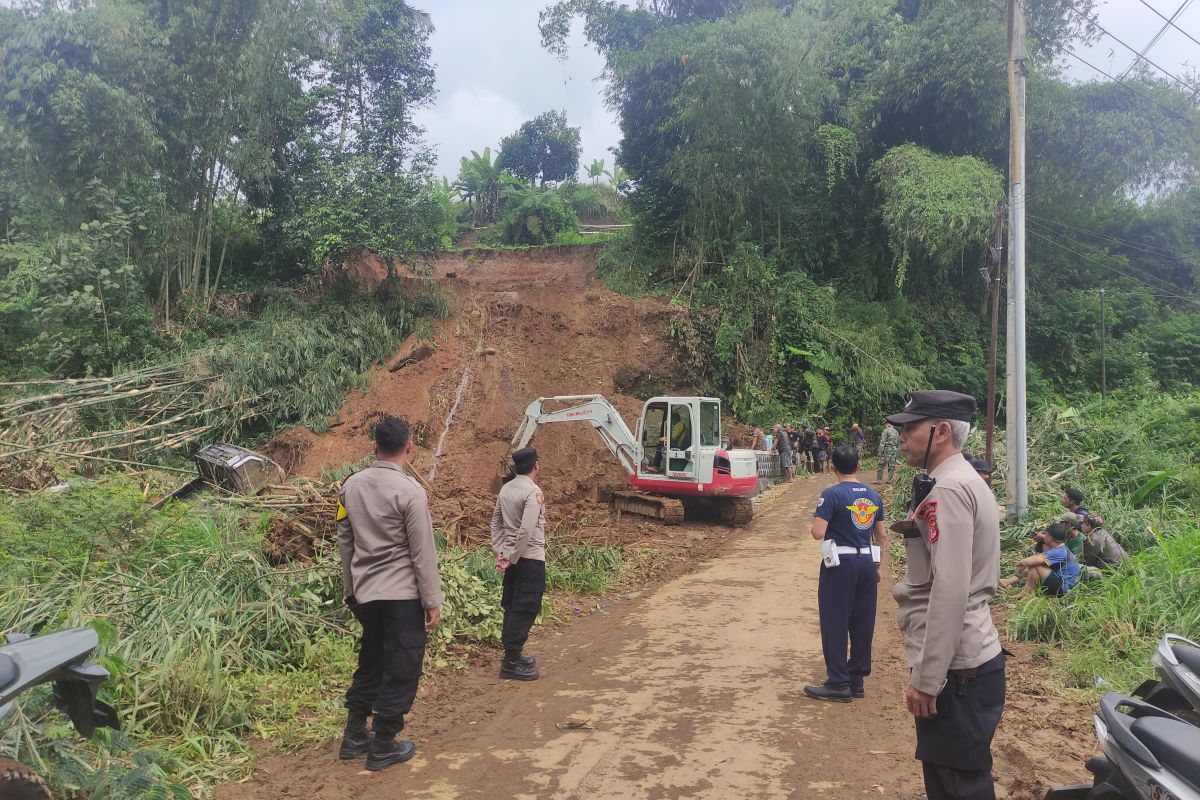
(675, 462)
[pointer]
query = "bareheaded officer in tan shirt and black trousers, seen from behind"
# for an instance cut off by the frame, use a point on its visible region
(391, 578)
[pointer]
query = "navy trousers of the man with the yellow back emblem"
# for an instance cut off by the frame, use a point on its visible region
(847, 599)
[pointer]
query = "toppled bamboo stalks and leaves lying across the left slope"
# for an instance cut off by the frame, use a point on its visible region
(241, 380)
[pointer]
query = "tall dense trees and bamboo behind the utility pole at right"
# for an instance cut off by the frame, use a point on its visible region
(819, 183)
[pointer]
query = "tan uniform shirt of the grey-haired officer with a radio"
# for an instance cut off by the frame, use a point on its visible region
(952, 574)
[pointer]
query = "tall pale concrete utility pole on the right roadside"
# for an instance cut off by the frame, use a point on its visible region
(1017, 489)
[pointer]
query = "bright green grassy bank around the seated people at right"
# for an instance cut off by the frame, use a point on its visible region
(1135, 459)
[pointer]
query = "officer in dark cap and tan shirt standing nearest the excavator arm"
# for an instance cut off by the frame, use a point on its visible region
(519, 542)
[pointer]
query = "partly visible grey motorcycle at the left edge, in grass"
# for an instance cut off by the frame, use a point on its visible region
(59, 659)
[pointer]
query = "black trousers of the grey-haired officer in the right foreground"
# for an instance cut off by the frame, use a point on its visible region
(956, 747)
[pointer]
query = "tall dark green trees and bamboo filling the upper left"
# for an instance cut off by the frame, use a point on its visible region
(185, 145)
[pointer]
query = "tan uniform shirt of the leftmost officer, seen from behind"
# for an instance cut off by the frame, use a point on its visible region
(386, 538)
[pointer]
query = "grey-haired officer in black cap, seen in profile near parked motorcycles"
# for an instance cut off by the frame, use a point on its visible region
(957, 687)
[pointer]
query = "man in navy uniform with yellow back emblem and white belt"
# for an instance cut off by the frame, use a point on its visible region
(848, 514)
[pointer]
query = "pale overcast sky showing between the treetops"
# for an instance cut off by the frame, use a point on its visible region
(494, 75)
